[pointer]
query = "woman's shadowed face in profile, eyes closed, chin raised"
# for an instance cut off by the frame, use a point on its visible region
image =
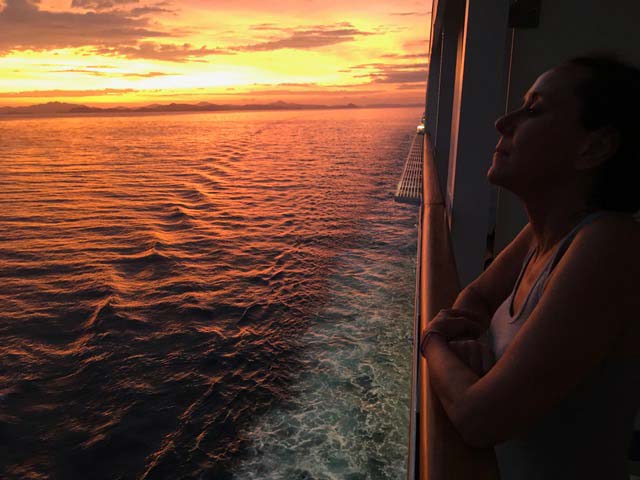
(541, 141)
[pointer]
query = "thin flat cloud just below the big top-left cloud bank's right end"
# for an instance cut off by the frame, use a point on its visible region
(159, 51)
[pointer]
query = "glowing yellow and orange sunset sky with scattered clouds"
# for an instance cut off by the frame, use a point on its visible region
(125, 52)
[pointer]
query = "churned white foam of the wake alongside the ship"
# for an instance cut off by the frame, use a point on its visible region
(349, 415)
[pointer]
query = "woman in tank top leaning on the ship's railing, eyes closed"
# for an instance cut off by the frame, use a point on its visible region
(562, 302)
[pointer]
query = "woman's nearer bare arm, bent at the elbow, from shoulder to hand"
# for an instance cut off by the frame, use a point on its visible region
(592, 292)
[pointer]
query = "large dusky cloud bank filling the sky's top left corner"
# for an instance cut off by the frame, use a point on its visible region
(23, 26)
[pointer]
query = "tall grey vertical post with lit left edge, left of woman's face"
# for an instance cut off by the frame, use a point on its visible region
(478, 102)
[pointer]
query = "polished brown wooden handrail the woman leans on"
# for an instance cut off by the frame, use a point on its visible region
(441, 452)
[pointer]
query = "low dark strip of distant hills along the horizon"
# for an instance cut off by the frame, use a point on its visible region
(61, 108)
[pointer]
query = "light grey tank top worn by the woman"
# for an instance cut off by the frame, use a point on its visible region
(586, 436)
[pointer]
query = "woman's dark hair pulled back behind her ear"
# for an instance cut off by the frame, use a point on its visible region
(611, 98)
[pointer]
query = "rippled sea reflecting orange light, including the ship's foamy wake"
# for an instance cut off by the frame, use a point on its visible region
(219, 296)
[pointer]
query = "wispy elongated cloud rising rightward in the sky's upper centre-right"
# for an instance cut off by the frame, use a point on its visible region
(307, 38)
